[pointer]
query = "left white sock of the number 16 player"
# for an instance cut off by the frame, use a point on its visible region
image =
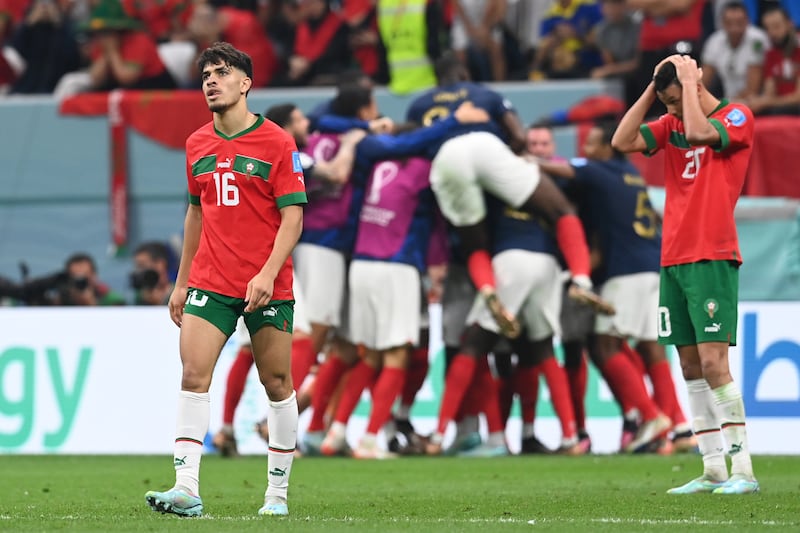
(191, 428)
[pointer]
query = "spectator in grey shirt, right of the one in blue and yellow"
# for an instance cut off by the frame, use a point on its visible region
(615, 38)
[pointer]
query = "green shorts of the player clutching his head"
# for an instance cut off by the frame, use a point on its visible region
(698, 302)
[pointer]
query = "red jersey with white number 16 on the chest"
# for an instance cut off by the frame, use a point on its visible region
(241, 183)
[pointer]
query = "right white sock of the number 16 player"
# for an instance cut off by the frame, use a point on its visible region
(282, 423)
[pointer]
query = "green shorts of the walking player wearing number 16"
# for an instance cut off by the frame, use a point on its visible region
(224, 311)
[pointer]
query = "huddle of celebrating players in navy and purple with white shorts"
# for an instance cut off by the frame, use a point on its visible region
(374, 235)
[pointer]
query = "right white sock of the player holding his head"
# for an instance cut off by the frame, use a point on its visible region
(730, 412)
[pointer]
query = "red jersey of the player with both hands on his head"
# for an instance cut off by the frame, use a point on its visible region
(703, 184)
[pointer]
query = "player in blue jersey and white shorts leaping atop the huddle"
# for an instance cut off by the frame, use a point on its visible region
(477, 158)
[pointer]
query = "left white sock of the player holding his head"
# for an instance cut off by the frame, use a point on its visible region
(706, 428)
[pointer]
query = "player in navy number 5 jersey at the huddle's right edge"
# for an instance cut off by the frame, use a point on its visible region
(630, 245)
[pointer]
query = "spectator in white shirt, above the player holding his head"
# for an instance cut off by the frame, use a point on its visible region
(734, 55)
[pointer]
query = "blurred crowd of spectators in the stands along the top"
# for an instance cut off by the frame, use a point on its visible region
(69, 46)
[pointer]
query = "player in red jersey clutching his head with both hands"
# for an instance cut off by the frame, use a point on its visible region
(707, 145)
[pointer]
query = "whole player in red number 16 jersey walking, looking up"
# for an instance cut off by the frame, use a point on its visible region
(244, 218)
